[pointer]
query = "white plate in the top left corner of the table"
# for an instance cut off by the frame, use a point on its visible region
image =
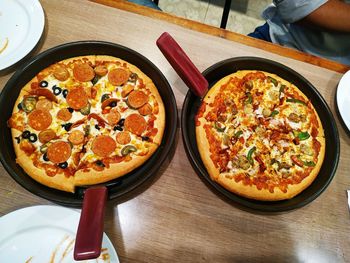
(21, 26)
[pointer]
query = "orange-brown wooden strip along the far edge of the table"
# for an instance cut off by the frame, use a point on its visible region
(215, 31)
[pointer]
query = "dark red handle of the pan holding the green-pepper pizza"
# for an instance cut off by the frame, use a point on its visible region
(182, 64)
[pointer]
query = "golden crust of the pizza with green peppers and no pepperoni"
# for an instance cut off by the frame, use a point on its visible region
(227, 179)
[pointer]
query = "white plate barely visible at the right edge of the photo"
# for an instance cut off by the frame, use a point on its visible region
(343, 98)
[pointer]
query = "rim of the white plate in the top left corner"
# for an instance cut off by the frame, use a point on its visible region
(38, 15)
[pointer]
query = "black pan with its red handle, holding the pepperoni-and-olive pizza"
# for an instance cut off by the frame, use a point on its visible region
(92, 198)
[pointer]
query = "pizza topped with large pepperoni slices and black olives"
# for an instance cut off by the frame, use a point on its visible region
(86, 120)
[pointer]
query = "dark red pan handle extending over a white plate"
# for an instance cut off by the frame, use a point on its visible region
(90, 230)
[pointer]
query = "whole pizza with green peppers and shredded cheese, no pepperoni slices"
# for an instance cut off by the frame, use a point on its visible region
(259, 136)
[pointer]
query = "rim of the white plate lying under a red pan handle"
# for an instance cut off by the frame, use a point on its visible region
(33, 210)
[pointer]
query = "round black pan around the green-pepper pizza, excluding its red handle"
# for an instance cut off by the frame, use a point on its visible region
(328, 169)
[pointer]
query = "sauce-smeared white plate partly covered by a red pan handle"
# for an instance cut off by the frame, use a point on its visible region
(44, 234)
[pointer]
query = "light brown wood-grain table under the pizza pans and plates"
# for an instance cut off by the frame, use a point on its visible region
(176, 217)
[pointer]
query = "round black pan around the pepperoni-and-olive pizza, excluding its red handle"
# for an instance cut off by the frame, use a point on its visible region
(116, 188)
